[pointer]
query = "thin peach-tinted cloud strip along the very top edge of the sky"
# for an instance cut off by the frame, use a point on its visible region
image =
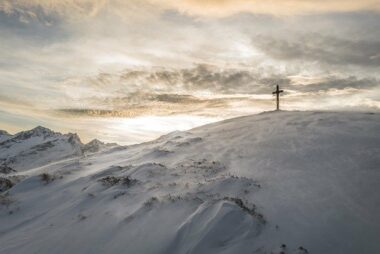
(219, 8)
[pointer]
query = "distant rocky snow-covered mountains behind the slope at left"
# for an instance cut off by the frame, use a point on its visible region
(39, 146)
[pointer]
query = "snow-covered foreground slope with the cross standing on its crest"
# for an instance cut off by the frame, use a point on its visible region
(278, 182)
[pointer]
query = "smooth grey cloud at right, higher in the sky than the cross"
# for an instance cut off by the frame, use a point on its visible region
(323, 49)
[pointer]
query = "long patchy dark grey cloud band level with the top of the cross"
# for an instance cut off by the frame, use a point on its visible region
(177, 84)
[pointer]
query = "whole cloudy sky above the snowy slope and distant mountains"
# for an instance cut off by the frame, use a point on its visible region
(128, 71)
